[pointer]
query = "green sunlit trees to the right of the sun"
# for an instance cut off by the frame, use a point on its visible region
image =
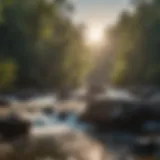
(136, 42)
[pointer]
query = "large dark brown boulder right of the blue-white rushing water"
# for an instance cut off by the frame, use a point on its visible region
(118, 115)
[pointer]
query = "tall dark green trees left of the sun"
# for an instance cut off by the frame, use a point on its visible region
(46, 45)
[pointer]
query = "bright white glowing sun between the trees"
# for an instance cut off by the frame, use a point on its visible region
(94, 35)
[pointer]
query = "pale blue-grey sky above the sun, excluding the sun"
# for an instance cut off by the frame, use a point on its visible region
(98, 12)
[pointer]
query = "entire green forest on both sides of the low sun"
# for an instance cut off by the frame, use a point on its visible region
(41, 46)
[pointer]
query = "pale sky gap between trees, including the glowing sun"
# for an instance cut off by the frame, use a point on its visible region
(97, 15)
